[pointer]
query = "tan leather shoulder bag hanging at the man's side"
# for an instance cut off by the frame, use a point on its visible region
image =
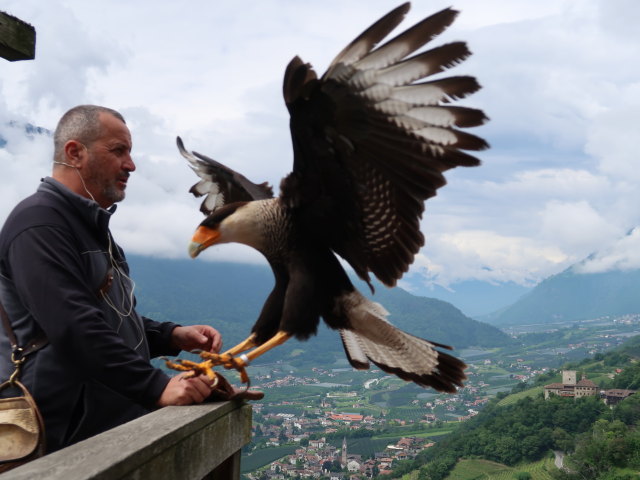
(21, 429)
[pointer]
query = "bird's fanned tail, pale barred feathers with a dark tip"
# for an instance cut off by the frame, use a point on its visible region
(372, 338)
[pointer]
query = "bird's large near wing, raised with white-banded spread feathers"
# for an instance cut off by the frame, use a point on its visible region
(371, 139)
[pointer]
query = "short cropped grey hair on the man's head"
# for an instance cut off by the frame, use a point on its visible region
(81, 123)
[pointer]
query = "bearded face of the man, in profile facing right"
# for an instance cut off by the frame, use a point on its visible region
(109, 162)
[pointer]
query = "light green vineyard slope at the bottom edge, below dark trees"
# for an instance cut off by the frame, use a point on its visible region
(486, 470)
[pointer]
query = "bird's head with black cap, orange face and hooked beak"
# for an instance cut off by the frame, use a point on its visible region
(237, 222)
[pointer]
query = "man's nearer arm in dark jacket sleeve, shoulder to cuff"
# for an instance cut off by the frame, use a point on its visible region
(47, 273)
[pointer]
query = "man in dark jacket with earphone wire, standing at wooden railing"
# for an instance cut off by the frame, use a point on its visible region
(63, 277)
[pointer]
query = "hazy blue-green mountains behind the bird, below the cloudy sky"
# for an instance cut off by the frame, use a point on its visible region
(230, 296)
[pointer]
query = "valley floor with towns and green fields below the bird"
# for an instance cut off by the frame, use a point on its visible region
(373, 410)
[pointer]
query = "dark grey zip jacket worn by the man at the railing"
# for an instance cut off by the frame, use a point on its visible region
(56, 252)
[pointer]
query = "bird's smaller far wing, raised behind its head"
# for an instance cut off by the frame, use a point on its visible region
(220, 184)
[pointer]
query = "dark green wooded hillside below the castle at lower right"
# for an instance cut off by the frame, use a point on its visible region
(599, 442)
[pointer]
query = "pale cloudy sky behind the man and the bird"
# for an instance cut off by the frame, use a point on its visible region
(561, 85)
